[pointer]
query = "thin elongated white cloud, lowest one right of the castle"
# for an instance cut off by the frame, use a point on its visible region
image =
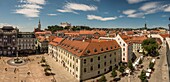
(94, 17)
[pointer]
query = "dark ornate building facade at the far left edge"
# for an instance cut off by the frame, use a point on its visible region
(8, 41)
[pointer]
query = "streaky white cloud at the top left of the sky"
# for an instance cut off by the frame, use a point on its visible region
(30, 8)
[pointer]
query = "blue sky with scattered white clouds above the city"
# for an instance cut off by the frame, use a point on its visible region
(25, 14)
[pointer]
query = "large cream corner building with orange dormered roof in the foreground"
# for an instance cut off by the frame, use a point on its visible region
(85, 60)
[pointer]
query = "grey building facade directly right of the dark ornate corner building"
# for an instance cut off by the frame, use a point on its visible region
(26, 43)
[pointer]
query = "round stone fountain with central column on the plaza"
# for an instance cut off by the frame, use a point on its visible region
(16, 61)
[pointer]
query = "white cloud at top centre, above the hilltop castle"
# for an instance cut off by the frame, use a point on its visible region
(72, 7)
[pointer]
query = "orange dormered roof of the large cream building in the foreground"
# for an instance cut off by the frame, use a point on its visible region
(81, 48)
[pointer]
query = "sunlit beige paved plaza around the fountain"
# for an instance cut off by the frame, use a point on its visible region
(10, 73)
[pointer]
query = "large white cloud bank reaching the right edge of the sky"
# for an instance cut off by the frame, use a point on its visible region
(147, 8)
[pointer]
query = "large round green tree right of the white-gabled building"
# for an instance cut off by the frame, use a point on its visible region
(150, 45)
